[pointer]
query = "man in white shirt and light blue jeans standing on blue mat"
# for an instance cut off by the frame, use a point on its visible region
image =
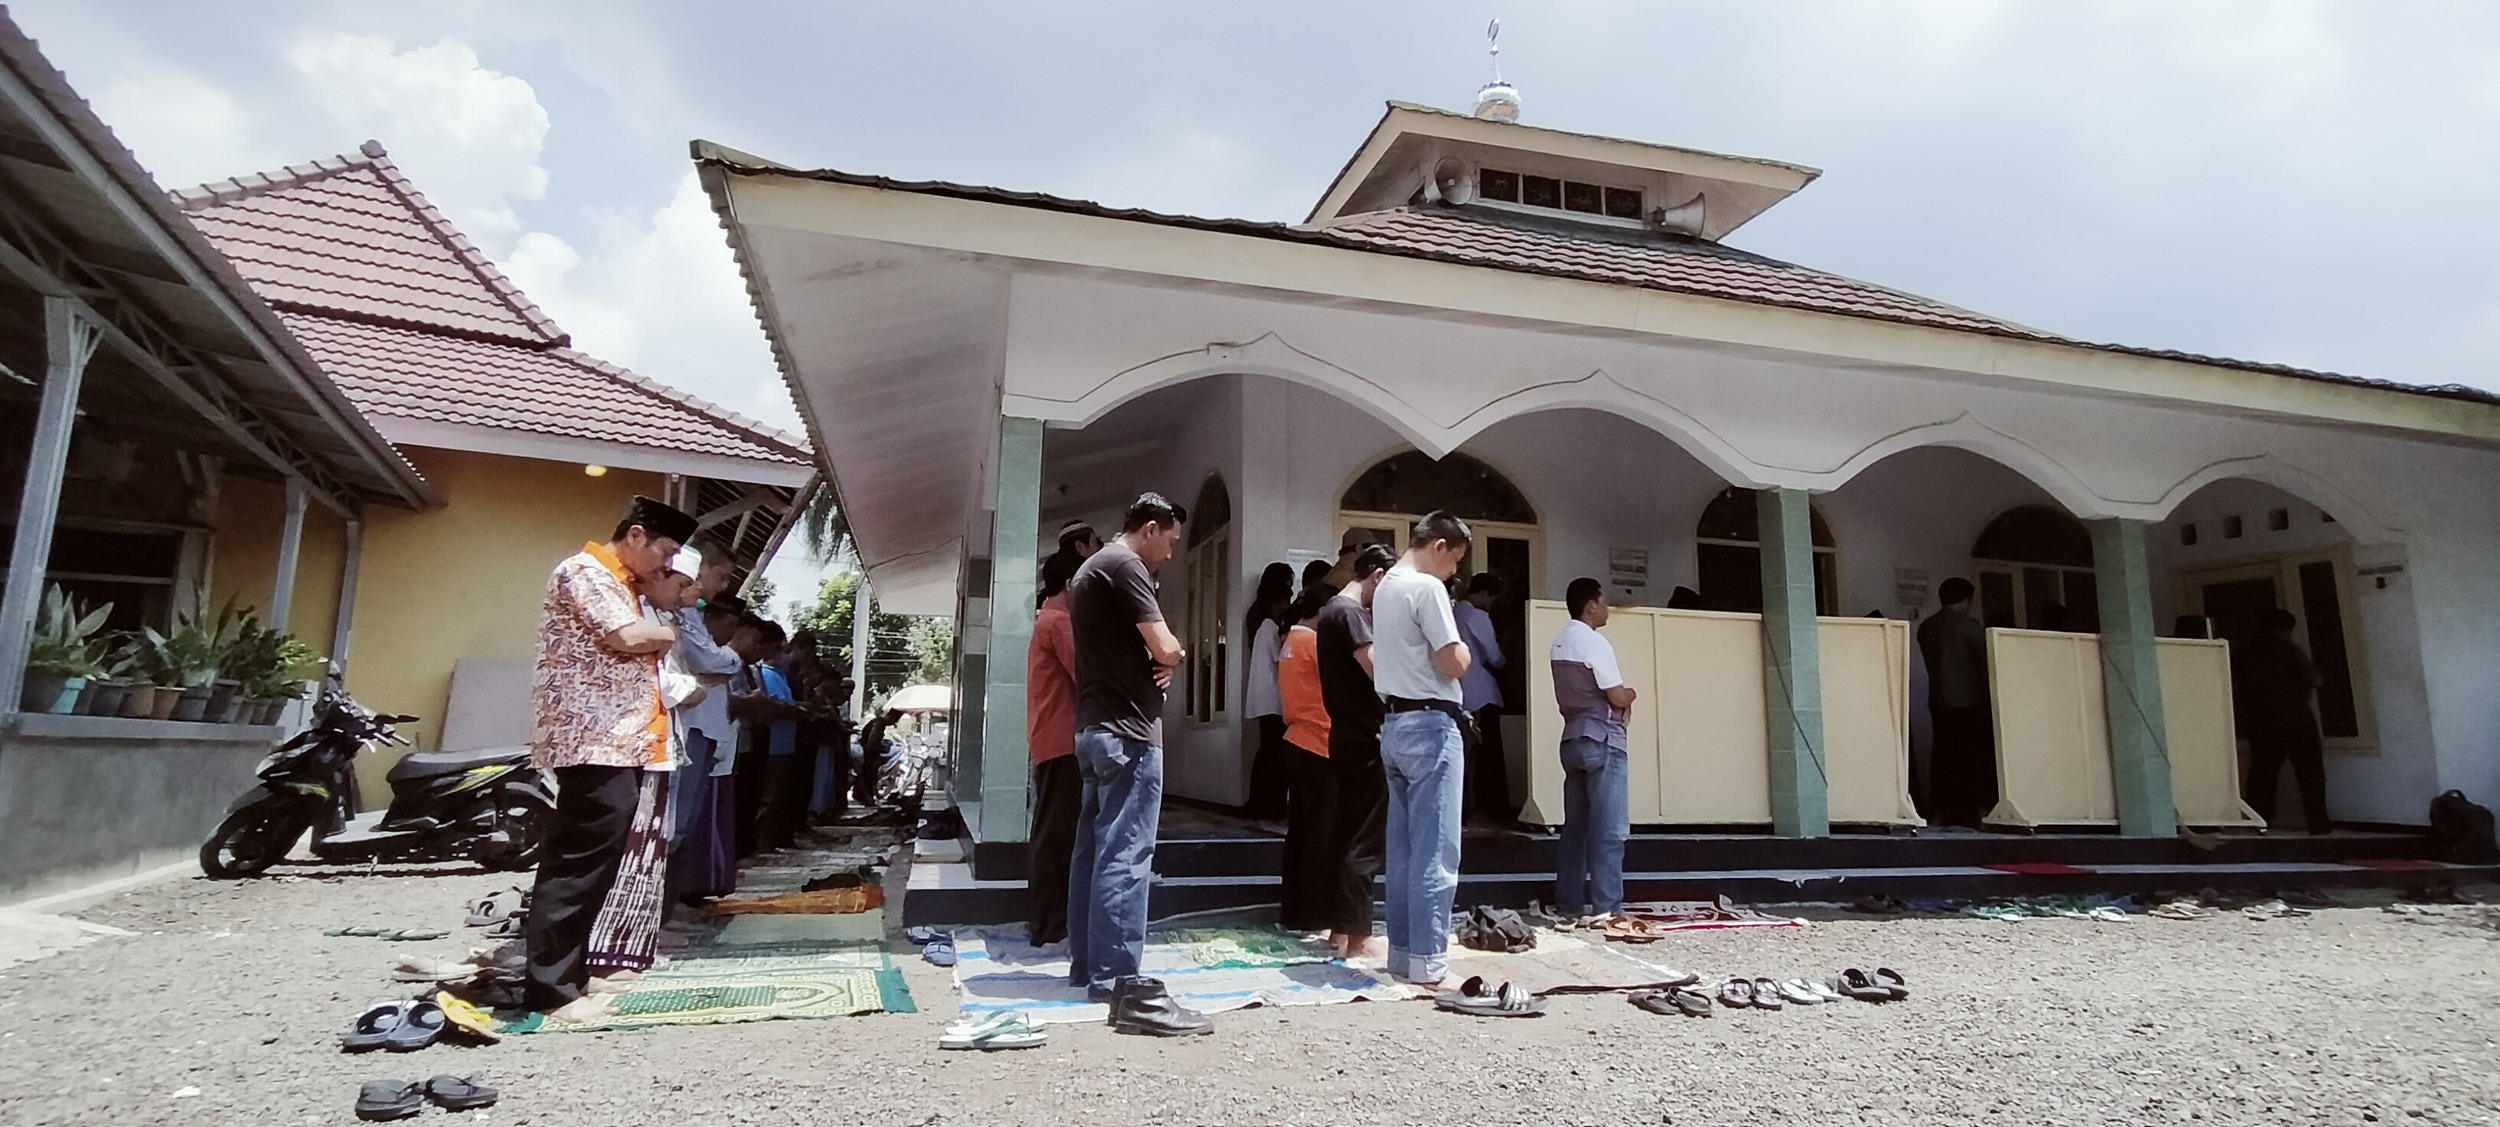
(1416, 666)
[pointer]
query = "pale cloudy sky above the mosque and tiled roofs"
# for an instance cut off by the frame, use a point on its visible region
(2281, 181)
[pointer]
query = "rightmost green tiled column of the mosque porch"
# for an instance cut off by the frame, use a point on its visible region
(2131, 681)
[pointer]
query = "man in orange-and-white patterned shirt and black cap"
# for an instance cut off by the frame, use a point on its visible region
(599, 723)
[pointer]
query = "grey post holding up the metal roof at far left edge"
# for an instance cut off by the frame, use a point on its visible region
(69, 346)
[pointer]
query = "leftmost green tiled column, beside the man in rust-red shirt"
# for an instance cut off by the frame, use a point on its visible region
(1016, 534)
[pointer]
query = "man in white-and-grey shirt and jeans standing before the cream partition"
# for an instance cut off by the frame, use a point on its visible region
(1596, 758)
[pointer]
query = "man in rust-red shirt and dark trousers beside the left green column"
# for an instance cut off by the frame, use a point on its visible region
(1051, 733)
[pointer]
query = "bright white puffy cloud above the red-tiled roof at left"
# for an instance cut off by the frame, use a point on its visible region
(469, 136)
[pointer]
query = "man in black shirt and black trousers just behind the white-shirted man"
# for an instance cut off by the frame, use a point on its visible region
(1354, 751)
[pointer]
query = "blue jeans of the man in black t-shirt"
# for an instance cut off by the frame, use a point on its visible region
(1114, 863)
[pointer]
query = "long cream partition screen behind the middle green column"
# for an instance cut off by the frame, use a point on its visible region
(1699, 736)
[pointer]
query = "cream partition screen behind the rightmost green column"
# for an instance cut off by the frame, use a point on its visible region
(2054, 731)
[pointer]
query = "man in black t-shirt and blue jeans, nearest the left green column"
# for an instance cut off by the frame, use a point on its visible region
(1126, 658)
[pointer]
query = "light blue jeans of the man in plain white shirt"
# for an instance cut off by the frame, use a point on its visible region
(1426, 768)
